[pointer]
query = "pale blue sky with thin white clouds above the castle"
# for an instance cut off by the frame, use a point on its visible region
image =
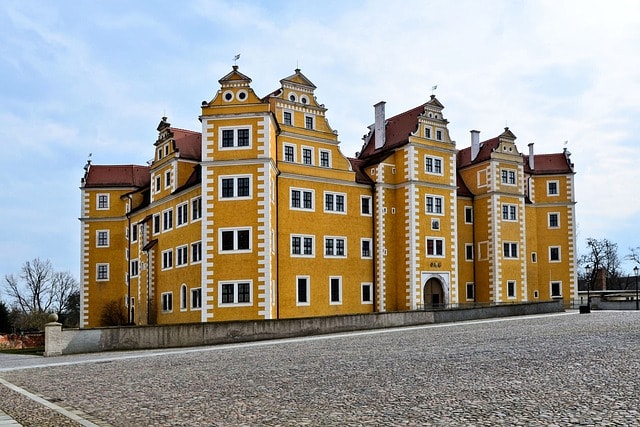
(80, 77)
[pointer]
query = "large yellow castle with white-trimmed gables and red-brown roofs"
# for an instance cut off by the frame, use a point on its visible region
(259, 215)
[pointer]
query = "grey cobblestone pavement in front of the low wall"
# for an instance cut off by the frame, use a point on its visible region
(555, 370)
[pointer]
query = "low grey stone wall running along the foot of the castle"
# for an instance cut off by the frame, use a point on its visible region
(72, 341)
